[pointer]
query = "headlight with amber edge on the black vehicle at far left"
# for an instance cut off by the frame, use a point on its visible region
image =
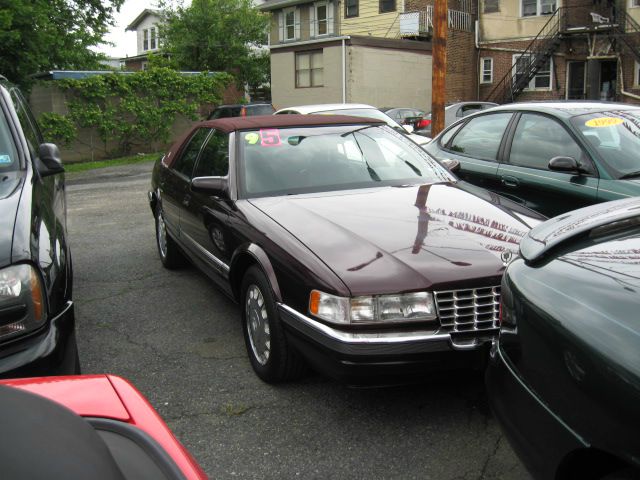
(22, 301)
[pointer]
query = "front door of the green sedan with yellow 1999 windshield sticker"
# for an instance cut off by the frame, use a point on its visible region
(525, 176)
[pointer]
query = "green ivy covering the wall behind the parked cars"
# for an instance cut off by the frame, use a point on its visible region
(134, 109)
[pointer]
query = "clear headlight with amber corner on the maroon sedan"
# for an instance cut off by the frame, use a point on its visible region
(405, 307)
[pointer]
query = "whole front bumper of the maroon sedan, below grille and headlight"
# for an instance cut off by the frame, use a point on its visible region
(374, 358)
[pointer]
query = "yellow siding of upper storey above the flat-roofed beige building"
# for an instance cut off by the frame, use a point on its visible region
(370, 22)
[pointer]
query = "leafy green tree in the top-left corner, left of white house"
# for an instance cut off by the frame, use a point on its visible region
(40, 35)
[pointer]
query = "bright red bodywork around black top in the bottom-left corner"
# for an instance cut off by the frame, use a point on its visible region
(109, 396)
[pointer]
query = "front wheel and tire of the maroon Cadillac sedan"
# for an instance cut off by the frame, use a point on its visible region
(270, 355)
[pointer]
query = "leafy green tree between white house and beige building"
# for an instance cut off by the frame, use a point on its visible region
(217, 35)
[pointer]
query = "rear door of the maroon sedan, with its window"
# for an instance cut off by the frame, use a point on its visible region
(174, 182)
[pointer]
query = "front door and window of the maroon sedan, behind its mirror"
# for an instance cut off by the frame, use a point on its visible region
(204, 221)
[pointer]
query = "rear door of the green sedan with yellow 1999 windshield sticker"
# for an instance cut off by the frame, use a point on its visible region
(477, 145)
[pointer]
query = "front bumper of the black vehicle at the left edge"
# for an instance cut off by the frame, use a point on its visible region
(51, 351)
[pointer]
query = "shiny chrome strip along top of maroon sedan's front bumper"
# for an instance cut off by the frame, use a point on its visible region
(365, 338)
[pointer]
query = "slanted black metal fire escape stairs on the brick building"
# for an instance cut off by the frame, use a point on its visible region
(538, 52)
